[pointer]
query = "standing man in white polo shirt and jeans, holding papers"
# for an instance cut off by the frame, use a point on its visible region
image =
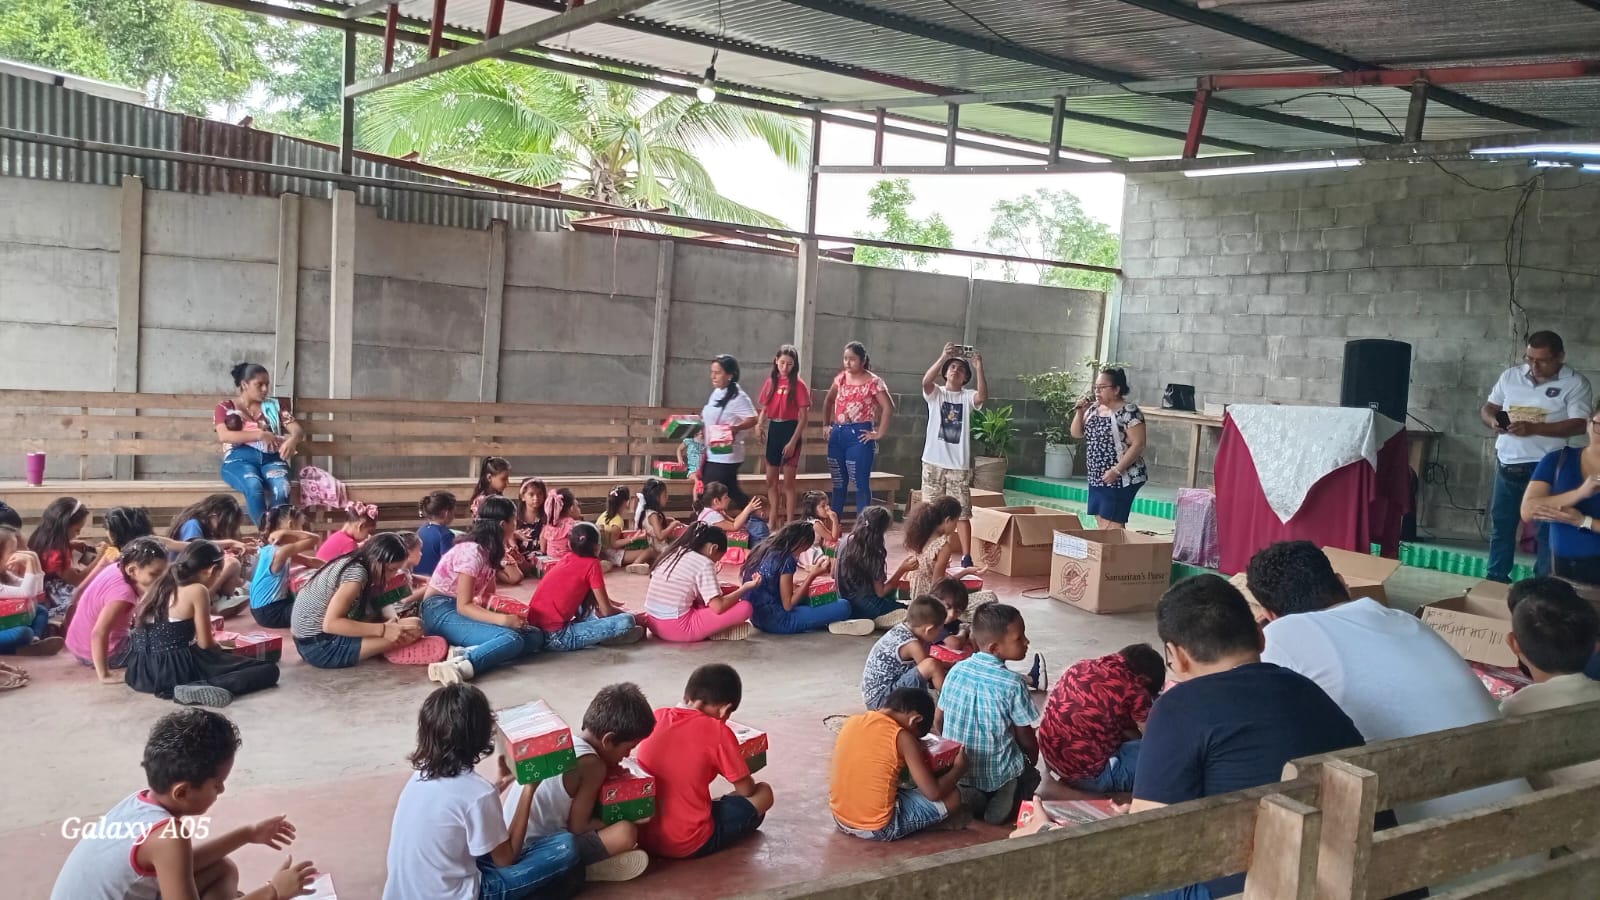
(1546, 404)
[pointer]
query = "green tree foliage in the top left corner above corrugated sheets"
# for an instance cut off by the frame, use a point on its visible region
(186, 57)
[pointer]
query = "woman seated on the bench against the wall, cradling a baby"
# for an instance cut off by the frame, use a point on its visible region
(257, 438)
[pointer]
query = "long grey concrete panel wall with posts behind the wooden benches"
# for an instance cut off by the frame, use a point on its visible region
(577, 313)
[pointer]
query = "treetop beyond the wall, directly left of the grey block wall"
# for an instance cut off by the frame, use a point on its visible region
(1052, 225)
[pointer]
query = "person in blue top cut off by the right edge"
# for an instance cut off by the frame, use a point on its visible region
(1566, 492)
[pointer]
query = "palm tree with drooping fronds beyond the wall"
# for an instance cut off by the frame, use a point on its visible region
(614, 143)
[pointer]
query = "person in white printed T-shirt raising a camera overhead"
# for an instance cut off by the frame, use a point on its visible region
(948, 449)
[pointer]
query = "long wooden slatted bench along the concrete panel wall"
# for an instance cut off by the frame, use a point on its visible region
(113, 433)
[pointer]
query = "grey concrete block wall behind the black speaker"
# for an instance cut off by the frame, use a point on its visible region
(1249, 289)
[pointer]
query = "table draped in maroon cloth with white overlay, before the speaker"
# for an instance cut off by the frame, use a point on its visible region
(1348, 505)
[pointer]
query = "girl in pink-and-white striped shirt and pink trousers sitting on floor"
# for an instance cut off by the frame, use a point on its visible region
(686, 603)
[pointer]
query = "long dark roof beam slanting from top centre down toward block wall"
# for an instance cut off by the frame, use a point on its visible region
(1006, 50)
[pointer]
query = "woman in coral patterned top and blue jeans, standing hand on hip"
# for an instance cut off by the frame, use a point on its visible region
(854, 403)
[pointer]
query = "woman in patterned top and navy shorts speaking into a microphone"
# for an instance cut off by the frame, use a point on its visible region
(1113, 433)
